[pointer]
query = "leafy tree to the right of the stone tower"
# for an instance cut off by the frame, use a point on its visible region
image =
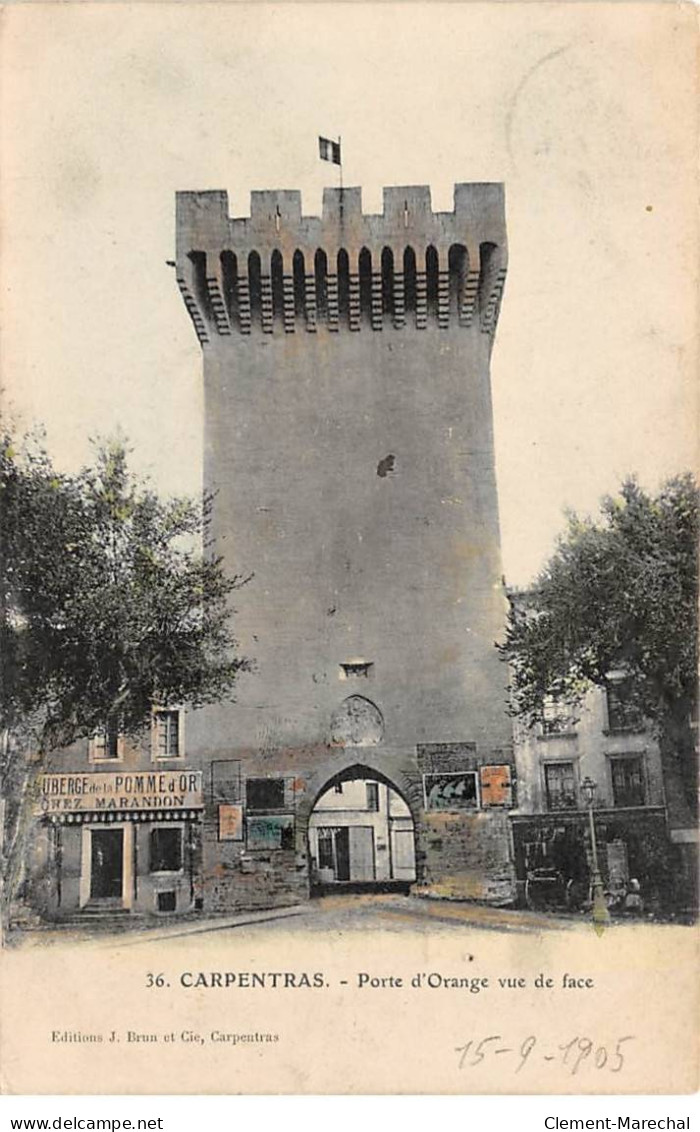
(620, 595)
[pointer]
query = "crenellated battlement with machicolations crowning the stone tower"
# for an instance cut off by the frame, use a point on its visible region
(280, 272)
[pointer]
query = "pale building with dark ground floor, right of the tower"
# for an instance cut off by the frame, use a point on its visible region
(603, 742)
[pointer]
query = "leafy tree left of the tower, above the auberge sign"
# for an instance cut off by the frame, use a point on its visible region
(110, 604)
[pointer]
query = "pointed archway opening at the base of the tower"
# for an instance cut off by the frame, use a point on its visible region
(362, 836)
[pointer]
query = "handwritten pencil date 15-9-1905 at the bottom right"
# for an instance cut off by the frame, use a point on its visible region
(571, 1056)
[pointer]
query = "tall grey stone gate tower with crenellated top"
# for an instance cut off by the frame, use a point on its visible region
(349, 438)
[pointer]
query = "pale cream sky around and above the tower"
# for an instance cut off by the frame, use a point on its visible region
(588, 114)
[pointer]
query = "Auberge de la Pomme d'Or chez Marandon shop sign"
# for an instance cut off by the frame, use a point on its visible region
(59, 794)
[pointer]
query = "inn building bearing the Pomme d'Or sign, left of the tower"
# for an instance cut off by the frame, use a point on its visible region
(118, 827)
